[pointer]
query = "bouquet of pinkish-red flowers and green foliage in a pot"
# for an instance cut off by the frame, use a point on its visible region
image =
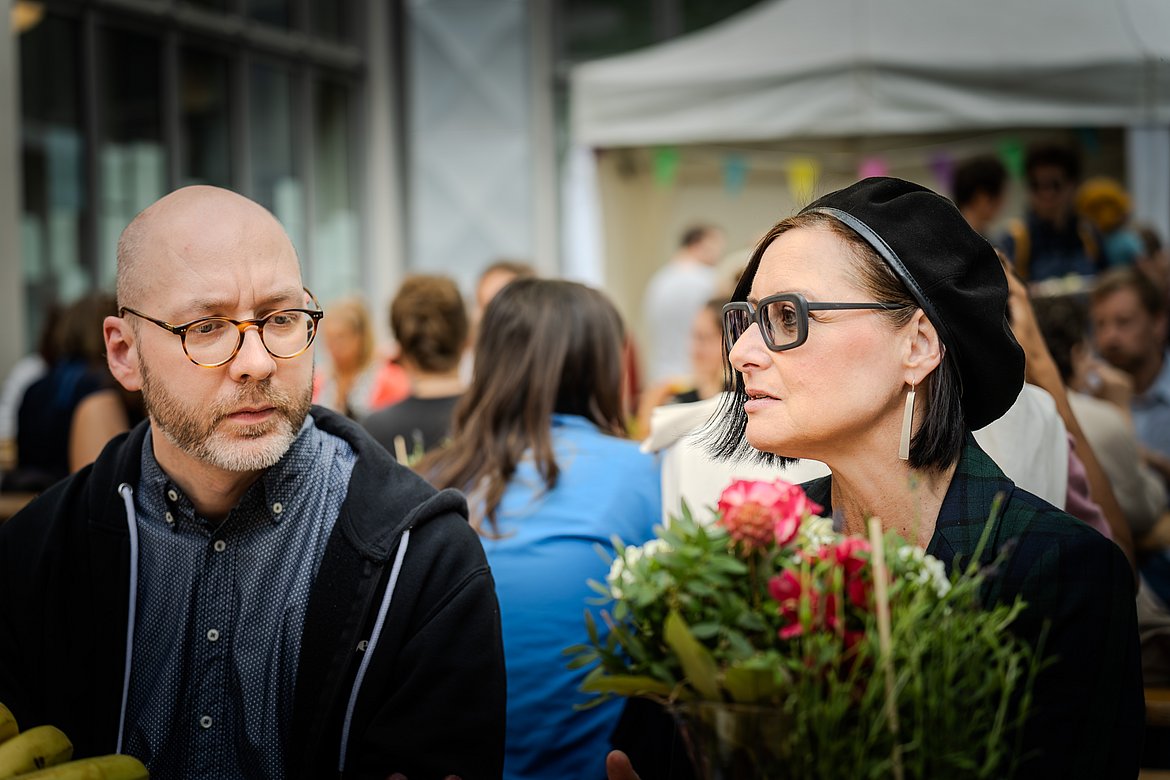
(787, 650)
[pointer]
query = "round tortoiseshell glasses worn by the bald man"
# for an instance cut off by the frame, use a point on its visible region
(214, 342)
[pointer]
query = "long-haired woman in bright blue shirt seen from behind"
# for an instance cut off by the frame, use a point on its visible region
(539, 445)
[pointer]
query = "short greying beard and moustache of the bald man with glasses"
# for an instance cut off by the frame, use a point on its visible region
(196, 430)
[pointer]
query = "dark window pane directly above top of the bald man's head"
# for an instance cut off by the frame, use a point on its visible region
(205, 119)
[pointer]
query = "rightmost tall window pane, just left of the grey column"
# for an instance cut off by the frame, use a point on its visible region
(336, 258)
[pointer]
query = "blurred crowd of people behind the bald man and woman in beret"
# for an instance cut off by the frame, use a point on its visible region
(532, 401)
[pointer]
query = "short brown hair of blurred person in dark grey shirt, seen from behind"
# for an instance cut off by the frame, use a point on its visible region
(430, 322)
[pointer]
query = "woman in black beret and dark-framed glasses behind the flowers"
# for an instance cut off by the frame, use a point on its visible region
(870, 333)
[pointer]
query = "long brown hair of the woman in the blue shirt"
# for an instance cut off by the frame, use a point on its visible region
(545, 347)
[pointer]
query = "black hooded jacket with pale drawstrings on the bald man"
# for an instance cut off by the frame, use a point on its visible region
(431, 702)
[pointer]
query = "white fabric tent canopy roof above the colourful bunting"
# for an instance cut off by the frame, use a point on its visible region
(834, 68)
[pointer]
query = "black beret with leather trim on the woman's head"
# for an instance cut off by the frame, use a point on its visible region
(953, 273)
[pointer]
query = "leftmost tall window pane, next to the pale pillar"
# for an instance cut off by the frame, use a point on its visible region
(53, 156)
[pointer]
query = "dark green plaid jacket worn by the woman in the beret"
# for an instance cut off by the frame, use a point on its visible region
(1090, 713)
